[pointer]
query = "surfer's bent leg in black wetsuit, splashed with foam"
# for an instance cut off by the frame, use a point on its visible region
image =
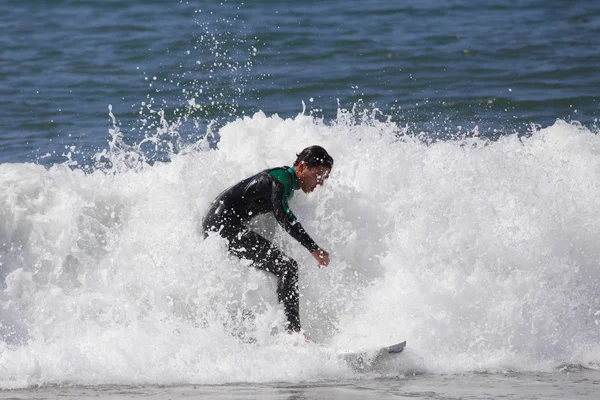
(269, 258)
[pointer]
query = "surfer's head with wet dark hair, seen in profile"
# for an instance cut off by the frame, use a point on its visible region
(312, 166)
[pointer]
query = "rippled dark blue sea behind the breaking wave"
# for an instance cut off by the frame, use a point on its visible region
(434, 67)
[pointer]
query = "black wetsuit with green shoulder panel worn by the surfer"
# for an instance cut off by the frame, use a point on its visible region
(229, 214)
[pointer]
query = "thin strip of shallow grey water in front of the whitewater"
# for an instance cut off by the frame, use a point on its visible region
(579, 385)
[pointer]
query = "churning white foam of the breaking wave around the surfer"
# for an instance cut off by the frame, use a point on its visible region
(482, 254)
